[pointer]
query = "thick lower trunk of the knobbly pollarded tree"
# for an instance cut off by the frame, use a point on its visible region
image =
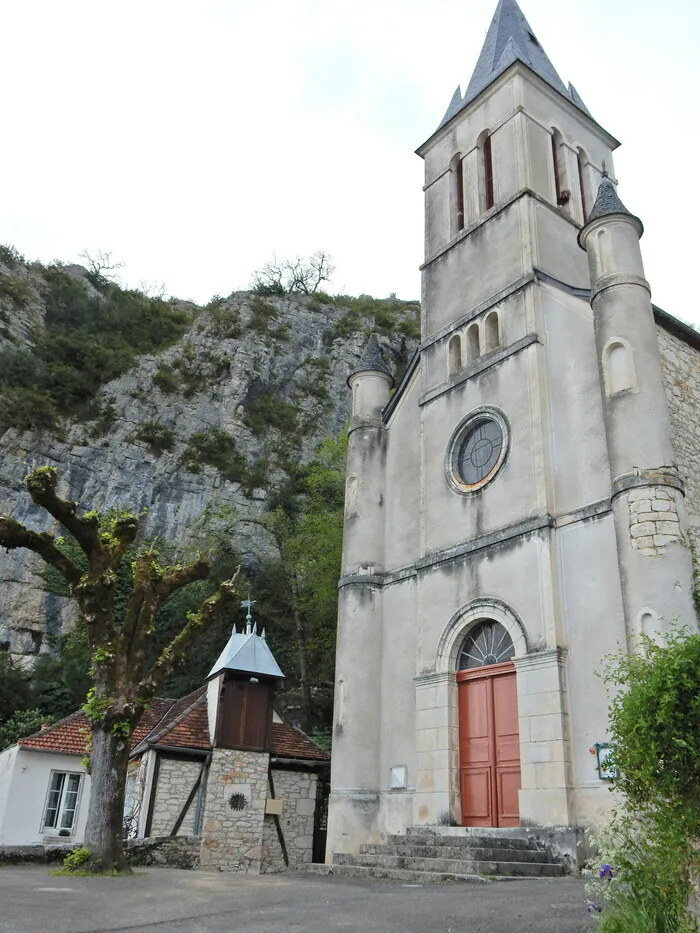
(103, 834)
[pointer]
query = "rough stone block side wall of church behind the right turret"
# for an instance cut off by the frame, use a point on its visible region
(681, 373)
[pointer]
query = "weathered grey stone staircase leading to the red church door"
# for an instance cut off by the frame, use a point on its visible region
(428, 855)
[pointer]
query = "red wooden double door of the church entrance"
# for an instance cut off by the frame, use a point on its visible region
(489, 746)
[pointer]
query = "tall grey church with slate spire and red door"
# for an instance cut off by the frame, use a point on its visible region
(523, 504)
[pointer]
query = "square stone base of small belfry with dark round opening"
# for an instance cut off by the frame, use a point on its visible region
(234, 811)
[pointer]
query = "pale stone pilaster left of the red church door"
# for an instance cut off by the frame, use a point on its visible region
(437, 797)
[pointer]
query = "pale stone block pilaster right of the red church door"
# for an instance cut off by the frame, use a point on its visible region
(545, 760)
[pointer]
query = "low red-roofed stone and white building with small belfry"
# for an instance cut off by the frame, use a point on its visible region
(219, 768)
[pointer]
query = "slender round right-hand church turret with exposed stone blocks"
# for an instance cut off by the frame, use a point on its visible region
(647, 491)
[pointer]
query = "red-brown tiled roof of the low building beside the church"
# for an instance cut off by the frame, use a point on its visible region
(180, 723)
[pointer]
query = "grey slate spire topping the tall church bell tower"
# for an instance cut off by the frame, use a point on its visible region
(510, 38)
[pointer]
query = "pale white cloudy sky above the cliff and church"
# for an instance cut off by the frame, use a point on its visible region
(194, 139)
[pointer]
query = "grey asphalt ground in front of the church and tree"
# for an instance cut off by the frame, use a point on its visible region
(32, 901)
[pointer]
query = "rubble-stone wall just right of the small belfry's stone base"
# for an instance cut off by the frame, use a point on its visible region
(297, 791)
